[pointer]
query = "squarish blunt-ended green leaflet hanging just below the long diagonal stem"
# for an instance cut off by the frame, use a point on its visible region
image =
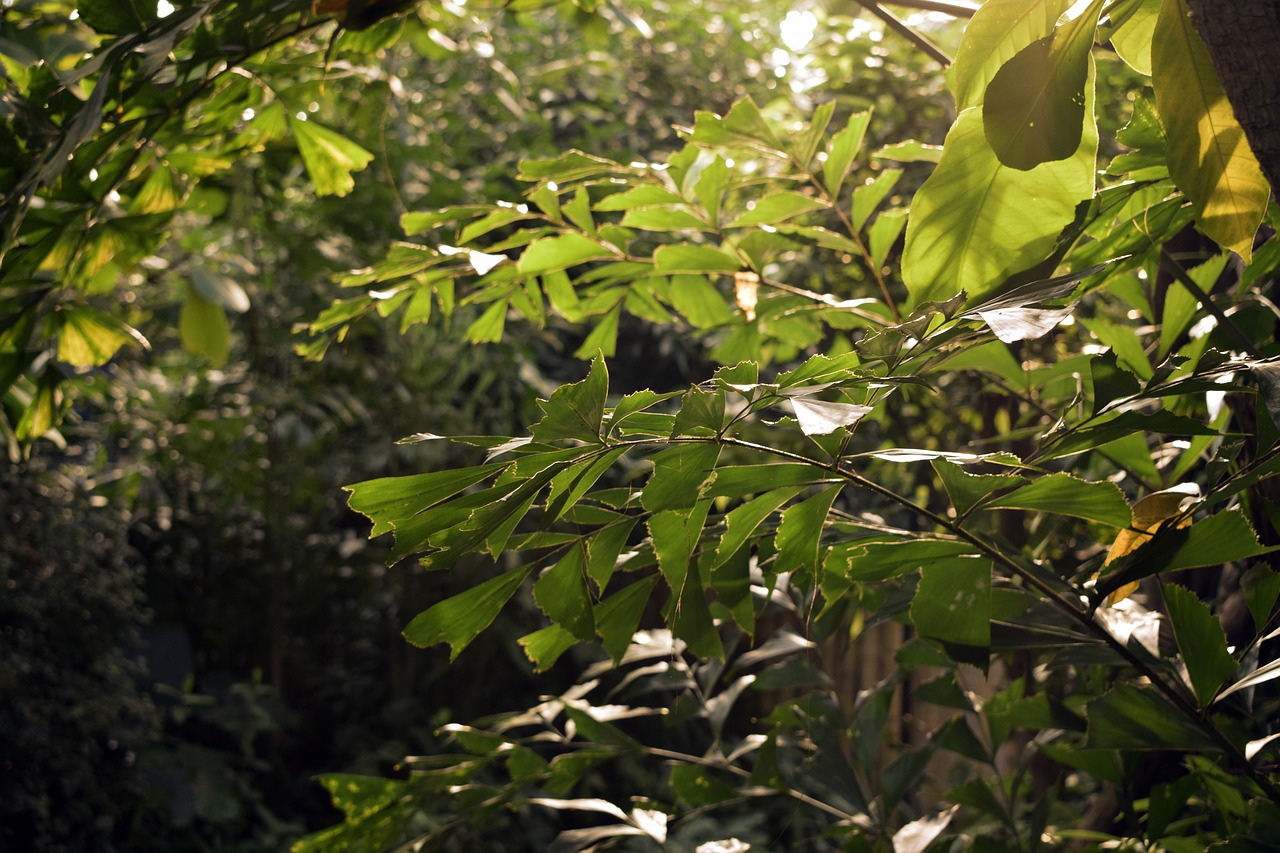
(953, 603)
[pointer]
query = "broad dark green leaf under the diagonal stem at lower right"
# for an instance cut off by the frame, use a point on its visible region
(1132, 718)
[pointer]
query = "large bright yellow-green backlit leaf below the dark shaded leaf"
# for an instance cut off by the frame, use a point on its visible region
(976, 221)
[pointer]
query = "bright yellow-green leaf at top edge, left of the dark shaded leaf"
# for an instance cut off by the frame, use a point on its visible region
(998, 31)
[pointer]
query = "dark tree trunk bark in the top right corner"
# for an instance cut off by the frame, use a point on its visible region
(1244, 40)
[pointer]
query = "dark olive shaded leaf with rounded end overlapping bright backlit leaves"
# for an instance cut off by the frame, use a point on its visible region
(1035, 107)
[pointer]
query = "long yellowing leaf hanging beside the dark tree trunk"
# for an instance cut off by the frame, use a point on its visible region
(1209, 157)
